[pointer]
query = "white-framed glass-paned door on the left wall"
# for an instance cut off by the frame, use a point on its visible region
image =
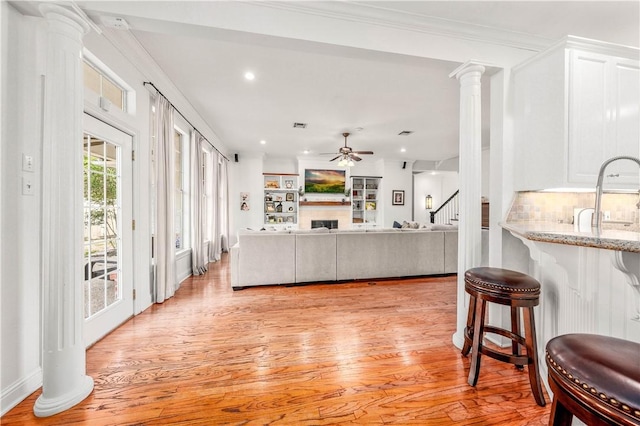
(107, 228)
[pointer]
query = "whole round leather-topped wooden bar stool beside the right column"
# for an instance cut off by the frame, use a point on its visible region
(513, 289)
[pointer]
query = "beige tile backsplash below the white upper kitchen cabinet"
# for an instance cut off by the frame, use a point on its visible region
(557, 207)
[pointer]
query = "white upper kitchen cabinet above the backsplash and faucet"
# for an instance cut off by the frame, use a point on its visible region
(576, 105)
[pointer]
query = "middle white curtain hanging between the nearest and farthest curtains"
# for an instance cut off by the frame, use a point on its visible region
(199, 256)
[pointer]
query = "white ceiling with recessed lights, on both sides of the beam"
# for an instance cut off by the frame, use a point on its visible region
(336, 88)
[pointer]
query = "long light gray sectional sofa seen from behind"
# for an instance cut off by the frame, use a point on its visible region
(302, 256)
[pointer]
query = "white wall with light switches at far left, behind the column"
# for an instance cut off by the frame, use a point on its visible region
(20, 369)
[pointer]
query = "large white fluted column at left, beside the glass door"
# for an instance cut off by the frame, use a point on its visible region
(65, 382)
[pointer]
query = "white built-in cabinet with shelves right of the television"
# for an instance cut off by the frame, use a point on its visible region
(364, 201)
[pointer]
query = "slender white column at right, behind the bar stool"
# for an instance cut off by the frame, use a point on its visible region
(469, 231)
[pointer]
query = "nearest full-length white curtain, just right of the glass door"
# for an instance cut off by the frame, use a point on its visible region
(165, 249)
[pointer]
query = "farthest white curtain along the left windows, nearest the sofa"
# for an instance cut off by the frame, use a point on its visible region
(219, 232)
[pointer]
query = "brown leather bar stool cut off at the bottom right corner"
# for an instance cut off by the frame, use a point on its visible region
(595, 378)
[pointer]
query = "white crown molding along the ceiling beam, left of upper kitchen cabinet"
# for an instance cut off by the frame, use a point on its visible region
(373, 14)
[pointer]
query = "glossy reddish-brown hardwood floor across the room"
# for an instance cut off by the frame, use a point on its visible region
(361, 353)
